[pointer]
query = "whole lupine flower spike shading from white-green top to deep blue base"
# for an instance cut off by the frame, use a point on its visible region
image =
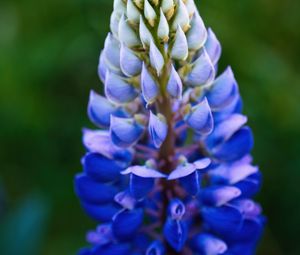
(168, 171)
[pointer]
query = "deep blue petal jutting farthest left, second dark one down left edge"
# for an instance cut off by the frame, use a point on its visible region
(93, 192)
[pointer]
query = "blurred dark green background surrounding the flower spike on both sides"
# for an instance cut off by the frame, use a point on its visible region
(48, 59)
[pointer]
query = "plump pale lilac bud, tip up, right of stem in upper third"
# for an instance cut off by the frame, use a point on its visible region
(203, 71)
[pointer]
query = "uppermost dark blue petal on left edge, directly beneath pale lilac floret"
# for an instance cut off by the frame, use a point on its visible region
(101, 168)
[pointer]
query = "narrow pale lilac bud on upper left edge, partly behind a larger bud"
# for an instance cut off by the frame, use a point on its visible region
(112, 51)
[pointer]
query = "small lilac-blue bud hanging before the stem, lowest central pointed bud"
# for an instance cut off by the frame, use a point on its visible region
(158, 129)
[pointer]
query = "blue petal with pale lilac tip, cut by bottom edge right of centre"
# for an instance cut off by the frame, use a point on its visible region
(208, 244)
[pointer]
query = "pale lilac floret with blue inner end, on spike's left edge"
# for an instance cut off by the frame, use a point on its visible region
(100, 142)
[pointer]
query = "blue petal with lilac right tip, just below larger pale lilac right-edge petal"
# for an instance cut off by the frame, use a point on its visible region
(219, 195)
